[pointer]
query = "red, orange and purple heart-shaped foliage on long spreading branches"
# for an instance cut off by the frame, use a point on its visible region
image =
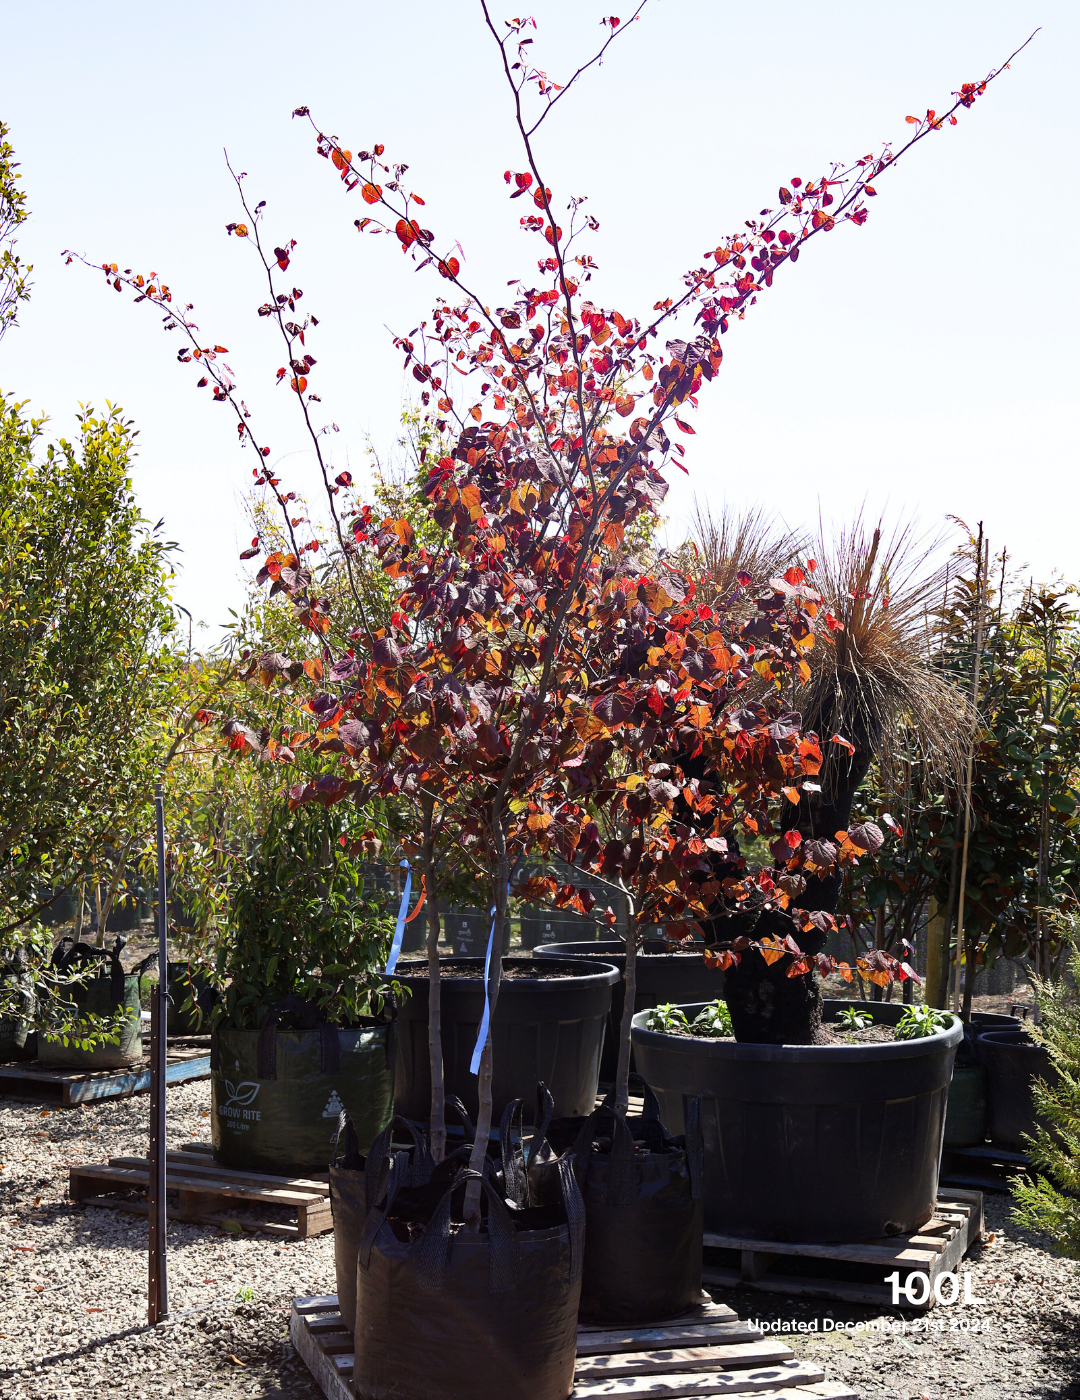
(536, 685)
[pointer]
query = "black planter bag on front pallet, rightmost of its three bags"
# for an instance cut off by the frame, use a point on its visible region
(644, 1207)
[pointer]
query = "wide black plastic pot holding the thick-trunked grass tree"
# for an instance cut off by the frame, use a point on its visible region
(810, 1143)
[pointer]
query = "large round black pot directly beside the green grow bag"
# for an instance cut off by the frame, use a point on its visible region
(547, 1025)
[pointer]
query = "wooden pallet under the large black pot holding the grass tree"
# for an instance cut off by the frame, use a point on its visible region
(851, 1273)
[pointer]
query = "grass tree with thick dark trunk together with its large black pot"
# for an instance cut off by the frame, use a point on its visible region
(784, 1077)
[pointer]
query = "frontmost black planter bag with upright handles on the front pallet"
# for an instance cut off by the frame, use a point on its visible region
(445, 1314)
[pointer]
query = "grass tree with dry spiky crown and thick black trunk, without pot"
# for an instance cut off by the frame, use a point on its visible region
(869, 691)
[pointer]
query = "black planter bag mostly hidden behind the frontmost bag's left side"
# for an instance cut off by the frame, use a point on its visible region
(355, 1181)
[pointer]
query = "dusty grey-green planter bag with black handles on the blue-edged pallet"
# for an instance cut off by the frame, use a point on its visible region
(110, 995)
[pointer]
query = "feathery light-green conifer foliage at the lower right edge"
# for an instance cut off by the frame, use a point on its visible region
(1051, 1203)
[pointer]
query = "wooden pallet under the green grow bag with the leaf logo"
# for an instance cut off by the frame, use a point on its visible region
(205, 1192)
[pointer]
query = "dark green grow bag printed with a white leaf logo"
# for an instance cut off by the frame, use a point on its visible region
(277, 1097)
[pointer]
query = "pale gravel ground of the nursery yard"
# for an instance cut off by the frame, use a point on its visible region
(74, 1293)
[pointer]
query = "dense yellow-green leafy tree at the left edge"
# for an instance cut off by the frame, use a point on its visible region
(86, 670)
